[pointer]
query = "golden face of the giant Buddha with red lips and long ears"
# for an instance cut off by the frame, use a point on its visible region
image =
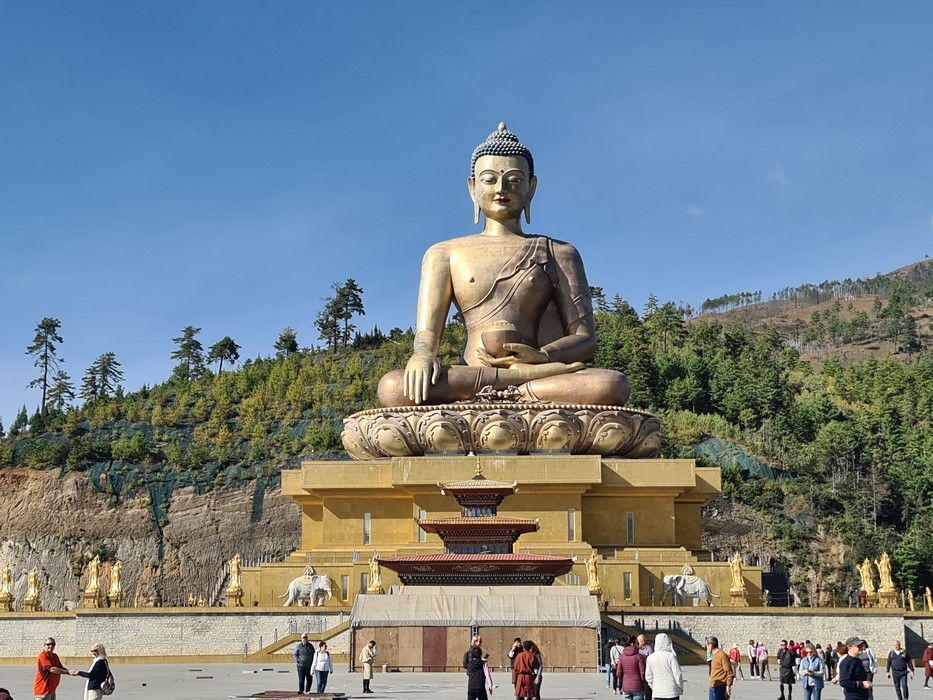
(501, 186)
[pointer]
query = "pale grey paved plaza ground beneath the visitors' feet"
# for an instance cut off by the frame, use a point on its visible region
(218, 681)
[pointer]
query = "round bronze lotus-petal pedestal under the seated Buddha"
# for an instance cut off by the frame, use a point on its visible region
(502, 428)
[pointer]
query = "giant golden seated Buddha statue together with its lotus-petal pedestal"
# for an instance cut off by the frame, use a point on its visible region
(522, 386)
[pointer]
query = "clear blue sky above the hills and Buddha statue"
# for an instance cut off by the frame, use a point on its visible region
(220, 164)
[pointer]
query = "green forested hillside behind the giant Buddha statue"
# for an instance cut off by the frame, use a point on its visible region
(817, 404)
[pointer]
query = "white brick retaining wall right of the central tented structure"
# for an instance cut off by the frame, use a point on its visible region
(819, 625)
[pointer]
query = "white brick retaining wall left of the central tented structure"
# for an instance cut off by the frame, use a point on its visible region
(158, 632)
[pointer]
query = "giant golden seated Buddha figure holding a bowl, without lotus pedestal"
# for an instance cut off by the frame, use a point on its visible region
(530, 291)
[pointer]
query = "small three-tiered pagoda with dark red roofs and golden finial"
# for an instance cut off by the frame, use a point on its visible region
(479, 543)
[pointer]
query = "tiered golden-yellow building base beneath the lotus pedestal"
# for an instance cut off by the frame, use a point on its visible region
(664, 497)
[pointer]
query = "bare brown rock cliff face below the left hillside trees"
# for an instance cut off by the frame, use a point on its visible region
(57, 524)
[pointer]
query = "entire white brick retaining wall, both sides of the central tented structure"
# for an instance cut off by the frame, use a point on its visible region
(168, 634)
